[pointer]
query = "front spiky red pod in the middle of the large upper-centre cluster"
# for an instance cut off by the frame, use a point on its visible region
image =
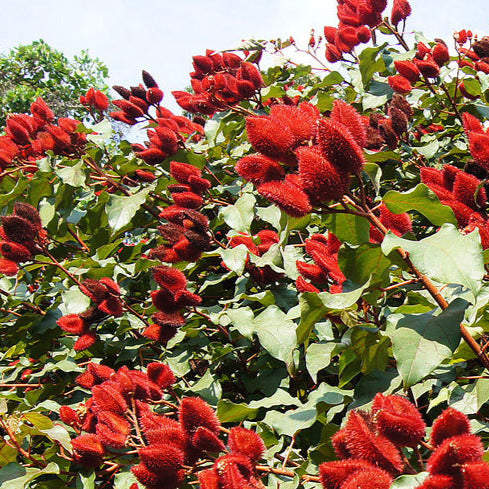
(319, 178)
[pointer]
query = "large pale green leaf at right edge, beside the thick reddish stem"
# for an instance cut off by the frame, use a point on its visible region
(447, 257)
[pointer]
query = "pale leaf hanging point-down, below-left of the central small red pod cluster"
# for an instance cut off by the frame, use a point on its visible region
(276, 333)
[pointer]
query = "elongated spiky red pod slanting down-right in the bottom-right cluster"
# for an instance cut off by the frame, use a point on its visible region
(364, 444)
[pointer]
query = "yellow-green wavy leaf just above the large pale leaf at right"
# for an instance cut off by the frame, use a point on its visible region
(420, 199)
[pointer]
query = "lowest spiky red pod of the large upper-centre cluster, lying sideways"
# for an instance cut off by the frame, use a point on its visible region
(287, 197)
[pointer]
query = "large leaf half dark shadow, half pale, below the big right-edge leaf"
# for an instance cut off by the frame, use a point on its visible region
(422, 341)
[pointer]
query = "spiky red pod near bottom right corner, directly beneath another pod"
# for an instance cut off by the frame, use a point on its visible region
(453, 452)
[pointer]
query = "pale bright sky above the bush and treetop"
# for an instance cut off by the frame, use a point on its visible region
(161, 36)
